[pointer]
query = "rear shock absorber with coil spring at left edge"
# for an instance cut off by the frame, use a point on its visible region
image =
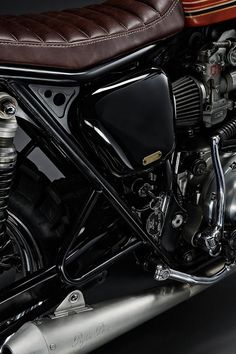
(8, 154)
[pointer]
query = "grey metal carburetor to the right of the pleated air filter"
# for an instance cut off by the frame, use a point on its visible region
(216, 67)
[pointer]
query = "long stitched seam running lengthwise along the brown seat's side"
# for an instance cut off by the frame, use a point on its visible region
(167, 13)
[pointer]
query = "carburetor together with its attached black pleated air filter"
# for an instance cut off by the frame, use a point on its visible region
(204, 96)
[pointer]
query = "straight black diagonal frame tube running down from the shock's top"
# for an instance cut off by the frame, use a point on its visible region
(66, 143)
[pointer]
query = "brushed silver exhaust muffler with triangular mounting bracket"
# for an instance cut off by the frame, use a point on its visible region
(77, 328)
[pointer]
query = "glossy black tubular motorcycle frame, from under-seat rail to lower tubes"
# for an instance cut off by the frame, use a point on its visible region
(15, 80)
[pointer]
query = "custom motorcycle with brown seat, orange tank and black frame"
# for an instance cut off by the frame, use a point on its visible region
(133, 102)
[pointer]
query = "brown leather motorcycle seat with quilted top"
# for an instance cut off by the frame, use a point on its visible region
(80, 38)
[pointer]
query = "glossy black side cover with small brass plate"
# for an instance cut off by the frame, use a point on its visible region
(130, 123)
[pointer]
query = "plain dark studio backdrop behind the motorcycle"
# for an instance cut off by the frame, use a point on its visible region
(204, 325)
